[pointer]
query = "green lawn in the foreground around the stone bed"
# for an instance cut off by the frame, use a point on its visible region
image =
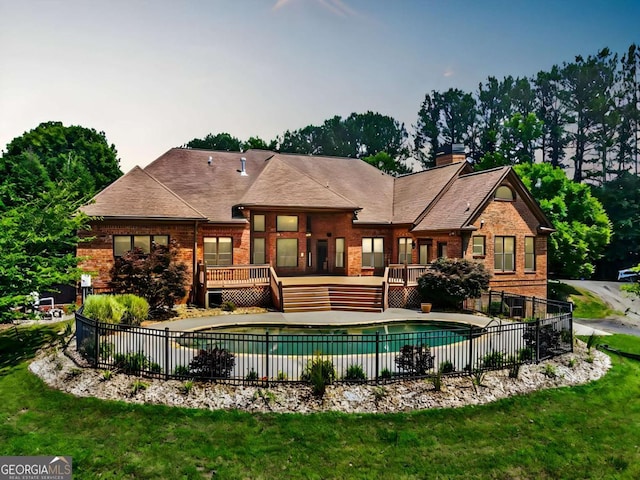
(589, 431)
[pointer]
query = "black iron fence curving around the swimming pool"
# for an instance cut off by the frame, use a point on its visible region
(450, 349)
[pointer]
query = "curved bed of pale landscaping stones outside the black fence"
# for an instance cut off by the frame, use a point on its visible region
(65, 371)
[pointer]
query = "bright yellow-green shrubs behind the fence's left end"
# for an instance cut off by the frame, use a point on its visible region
(125, 309)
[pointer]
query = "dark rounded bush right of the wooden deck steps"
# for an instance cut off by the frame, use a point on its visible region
(450, 281)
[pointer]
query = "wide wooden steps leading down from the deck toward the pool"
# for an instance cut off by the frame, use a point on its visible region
(316, 298)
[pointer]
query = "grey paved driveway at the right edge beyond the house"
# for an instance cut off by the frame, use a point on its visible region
(627, 307)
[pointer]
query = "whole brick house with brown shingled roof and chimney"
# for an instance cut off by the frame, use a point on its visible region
(242, 219)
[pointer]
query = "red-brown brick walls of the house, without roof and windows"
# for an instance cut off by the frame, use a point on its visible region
(317, 234)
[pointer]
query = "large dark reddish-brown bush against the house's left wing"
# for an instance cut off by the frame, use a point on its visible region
(156, 276)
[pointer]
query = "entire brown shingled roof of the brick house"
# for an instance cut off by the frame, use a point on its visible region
(183, 184)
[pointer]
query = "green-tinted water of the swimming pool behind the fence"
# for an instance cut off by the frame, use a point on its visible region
(348, 340)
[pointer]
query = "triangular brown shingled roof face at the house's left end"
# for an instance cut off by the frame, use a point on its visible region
(139, 195)
